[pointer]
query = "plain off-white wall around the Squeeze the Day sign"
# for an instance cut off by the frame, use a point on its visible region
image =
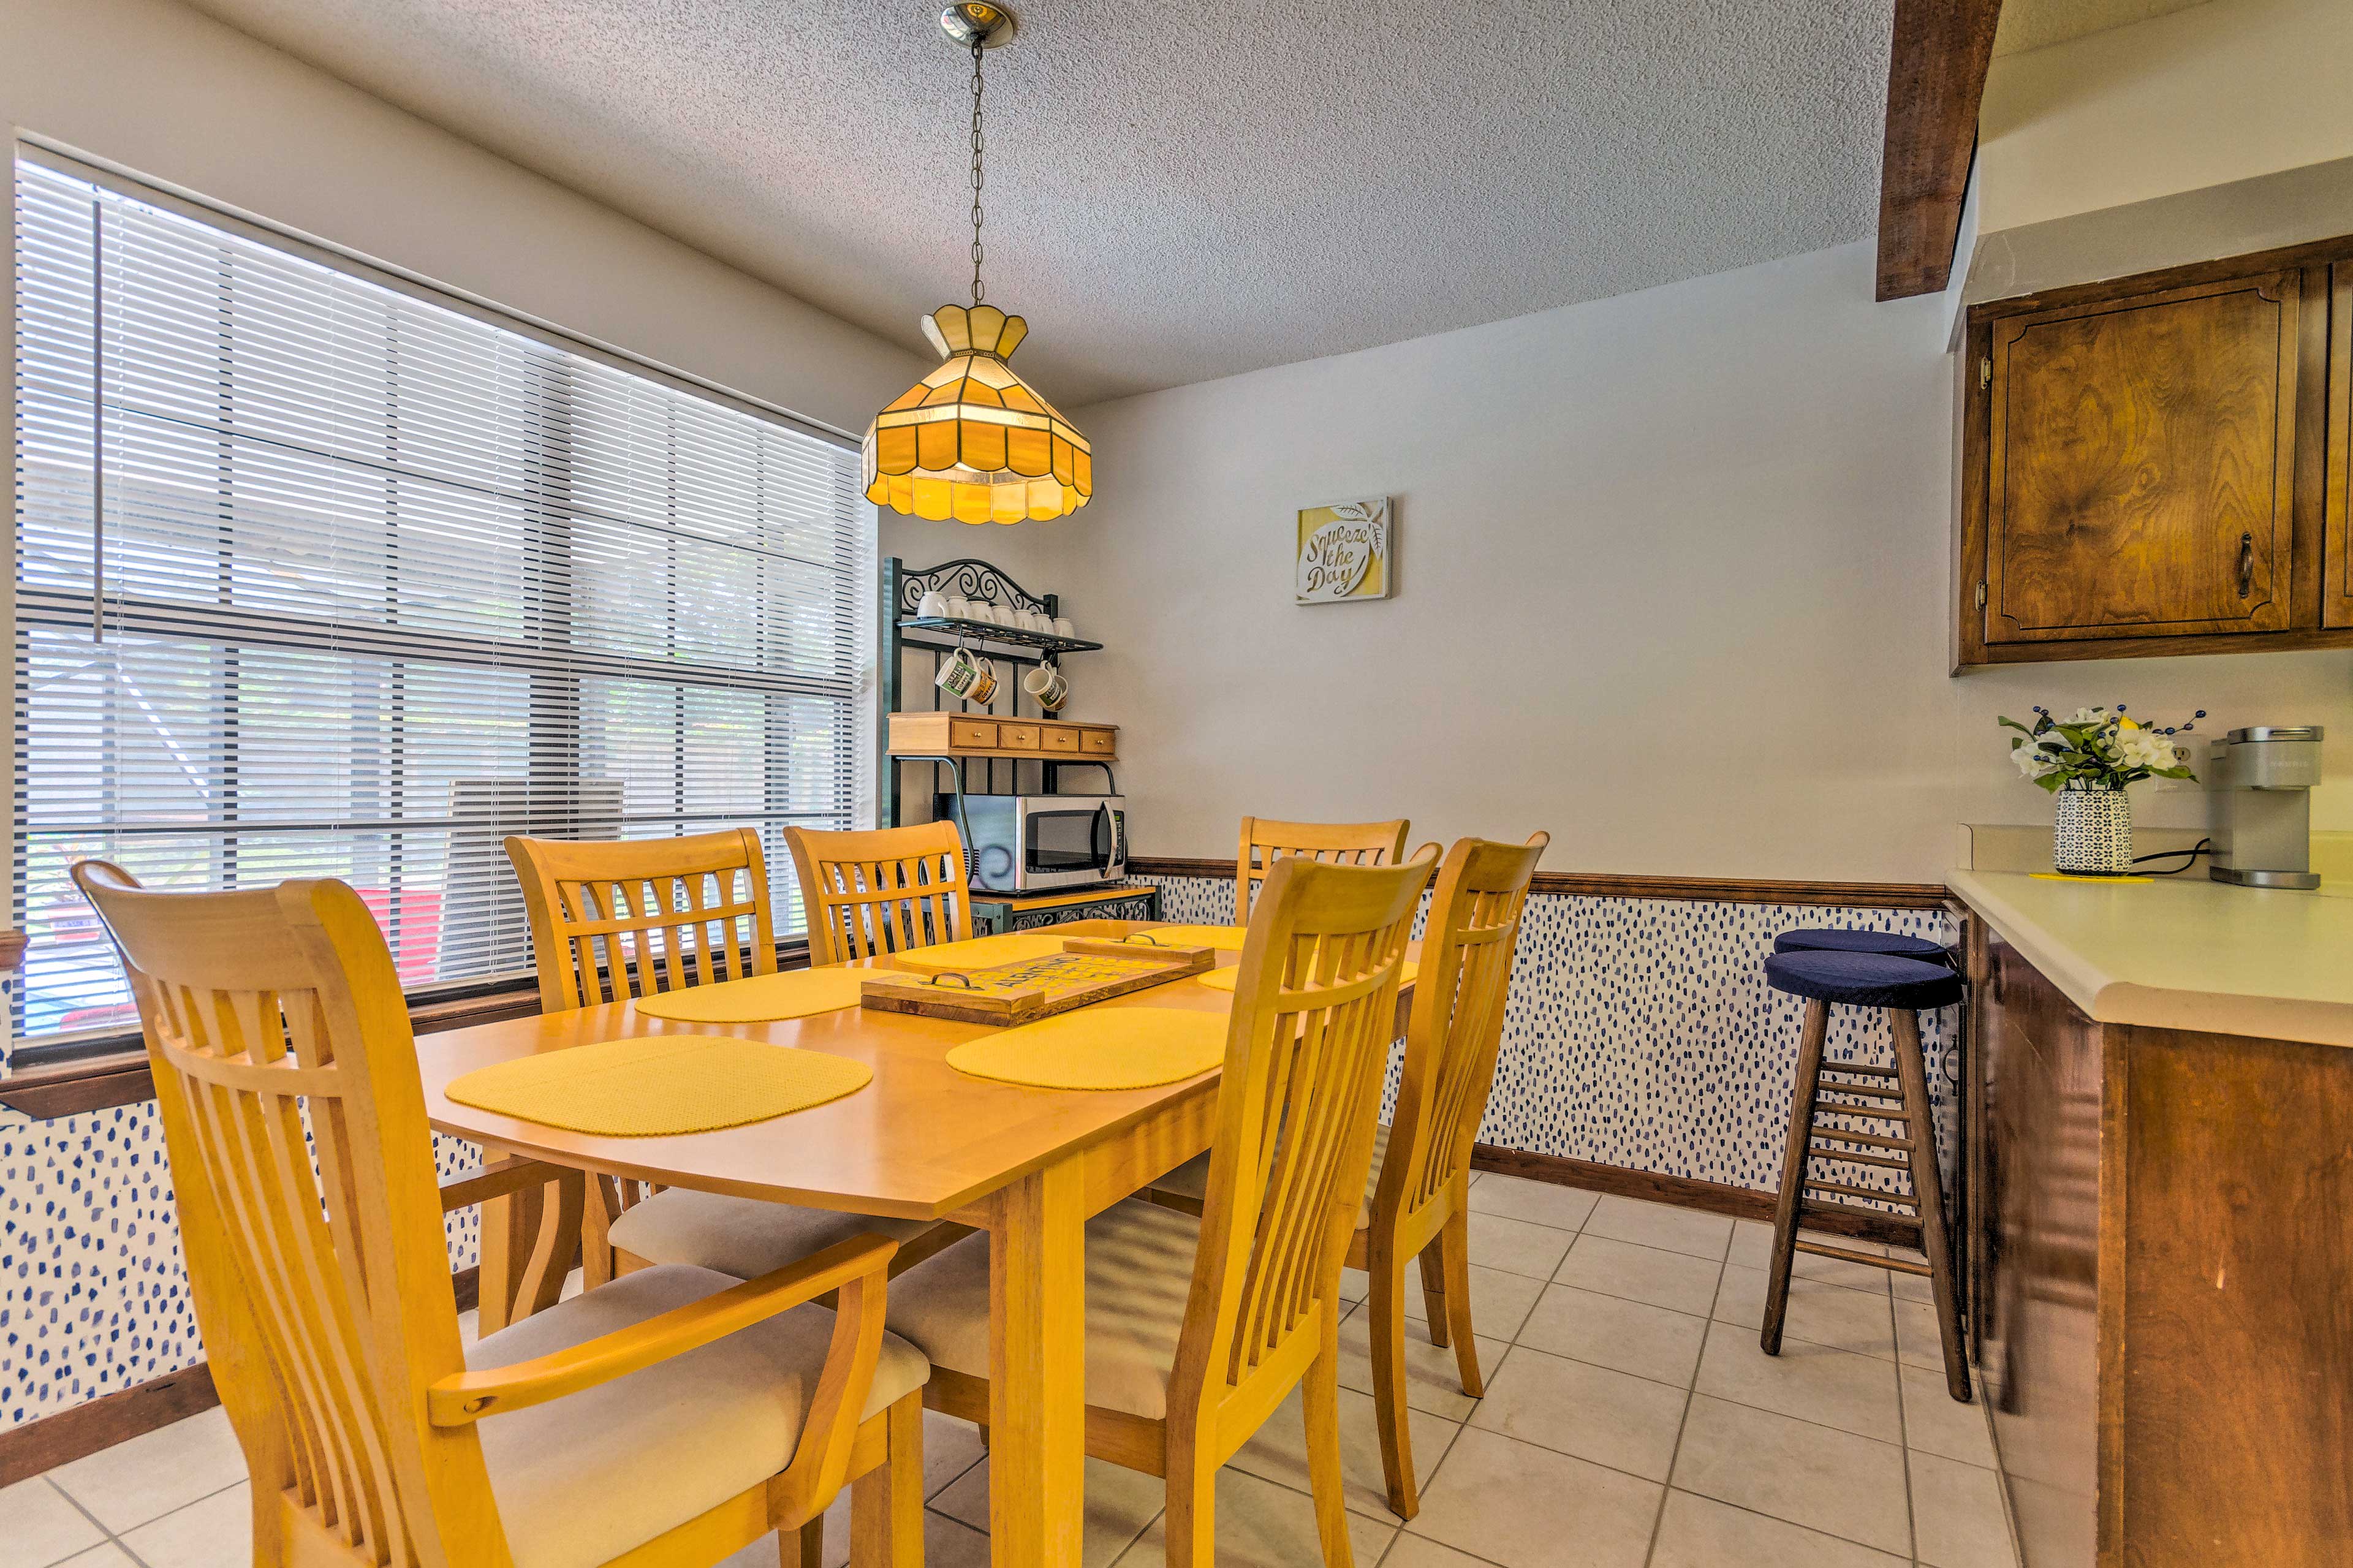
(1674, 585)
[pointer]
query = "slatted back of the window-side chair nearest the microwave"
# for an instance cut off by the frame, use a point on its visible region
(881, 891)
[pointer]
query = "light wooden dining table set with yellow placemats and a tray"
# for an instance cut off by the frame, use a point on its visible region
(924, 1143)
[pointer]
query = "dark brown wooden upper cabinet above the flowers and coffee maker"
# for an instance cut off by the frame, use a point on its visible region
(2159, 465)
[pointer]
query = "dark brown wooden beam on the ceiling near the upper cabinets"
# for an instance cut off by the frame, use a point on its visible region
(1935, 86)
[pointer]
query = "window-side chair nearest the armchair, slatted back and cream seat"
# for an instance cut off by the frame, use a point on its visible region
(634, 917)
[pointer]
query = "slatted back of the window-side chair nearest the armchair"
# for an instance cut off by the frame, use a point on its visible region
(615, 919)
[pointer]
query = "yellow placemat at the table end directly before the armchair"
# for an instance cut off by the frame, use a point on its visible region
(660, 1087)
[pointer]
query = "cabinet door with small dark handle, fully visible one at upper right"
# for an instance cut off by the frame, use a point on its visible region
(2142, 463)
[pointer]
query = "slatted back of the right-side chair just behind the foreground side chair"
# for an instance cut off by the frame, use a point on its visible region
(1458, 1028)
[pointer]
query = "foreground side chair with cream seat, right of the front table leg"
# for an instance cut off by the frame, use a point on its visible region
(1201, 1327)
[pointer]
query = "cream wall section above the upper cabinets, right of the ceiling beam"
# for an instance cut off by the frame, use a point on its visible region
(2201, 98)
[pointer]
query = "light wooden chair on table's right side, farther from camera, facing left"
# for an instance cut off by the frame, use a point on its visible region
(1418, 1195)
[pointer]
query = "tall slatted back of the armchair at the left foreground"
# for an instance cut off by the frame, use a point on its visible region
(309, 1209)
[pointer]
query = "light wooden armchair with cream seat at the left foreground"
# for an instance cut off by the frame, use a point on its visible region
(669, 1418)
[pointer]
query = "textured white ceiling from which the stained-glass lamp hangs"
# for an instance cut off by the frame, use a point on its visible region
(1175, 192)
